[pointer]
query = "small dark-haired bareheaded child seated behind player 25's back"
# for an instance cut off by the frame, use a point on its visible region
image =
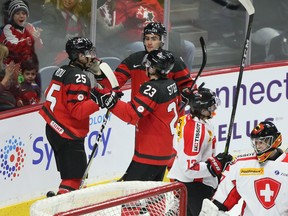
(30, 92)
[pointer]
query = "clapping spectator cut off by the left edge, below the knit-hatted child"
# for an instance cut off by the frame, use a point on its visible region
(9, 88)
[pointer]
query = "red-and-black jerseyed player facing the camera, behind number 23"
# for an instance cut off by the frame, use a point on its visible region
(154, 36)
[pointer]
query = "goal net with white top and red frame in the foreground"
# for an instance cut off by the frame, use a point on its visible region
(118, 198)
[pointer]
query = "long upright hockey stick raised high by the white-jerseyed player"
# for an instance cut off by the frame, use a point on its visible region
(250, 10)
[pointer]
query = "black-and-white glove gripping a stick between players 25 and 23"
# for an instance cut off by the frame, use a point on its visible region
(106, 98)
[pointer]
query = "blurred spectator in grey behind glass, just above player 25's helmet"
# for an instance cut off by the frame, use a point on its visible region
(61, 21)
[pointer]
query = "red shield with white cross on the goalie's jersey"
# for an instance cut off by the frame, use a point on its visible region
(267, 190)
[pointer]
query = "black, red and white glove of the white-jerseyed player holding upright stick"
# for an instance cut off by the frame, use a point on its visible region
(216, 165)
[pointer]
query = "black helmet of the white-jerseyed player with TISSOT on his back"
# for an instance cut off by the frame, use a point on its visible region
(203, 99)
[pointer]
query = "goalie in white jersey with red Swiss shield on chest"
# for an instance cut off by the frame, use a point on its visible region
(260, 179)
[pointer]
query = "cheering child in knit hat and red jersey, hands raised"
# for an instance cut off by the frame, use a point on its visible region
(18, 35)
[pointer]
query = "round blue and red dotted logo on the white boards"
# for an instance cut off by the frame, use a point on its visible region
(12, 157)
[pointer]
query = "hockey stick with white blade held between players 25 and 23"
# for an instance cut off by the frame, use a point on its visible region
(105, 68)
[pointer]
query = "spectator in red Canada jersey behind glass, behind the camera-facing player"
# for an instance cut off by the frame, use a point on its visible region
(126, 19)
